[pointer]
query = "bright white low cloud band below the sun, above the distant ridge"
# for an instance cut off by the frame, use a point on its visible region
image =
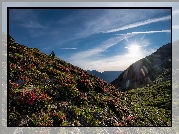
(118, 62)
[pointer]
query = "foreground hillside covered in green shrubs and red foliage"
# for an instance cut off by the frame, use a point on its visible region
(44, 90)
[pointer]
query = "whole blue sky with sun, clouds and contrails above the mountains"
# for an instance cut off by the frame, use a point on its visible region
(94, 39)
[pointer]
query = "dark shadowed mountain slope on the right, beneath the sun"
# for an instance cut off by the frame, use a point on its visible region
(144, 71)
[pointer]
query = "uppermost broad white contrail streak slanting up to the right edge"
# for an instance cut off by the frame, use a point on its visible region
(149, 21)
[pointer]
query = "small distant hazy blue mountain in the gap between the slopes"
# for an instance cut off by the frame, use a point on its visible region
(108, 76)
